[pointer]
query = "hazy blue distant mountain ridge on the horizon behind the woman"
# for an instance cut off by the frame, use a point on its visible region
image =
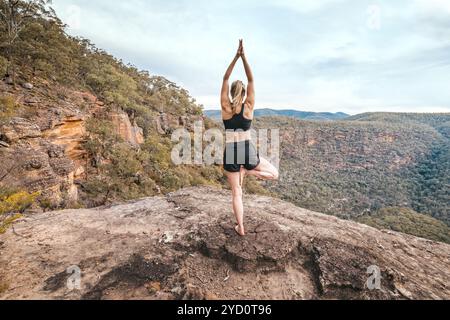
(303, 115)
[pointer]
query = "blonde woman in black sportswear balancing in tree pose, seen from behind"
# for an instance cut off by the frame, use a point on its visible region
(240, 157)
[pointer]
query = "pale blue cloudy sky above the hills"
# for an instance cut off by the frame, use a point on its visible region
(312, 55)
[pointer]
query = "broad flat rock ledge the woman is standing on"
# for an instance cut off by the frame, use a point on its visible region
(184, 246)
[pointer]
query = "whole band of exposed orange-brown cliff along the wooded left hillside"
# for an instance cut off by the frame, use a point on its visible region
(41, 146)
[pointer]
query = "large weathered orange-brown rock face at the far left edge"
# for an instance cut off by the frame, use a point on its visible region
(42, 150)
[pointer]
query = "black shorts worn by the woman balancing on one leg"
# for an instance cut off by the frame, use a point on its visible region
(240, 154)
